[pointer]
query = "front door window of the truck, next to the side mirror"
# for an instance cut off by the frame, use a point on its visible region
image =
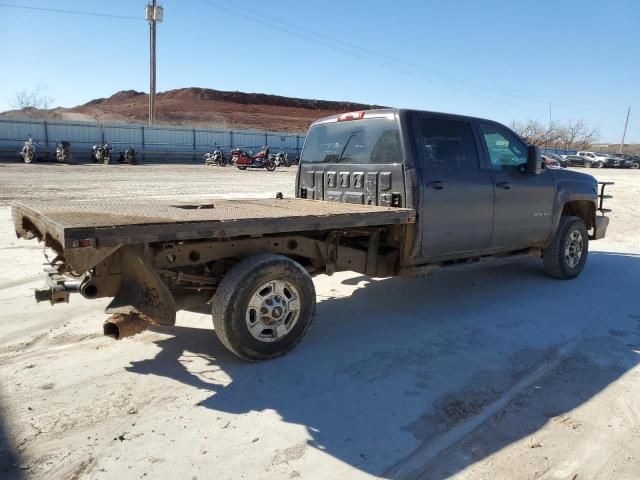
(506, 151)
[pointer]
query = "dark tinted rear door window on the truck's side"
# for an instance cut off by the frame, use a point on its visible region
(447, 143)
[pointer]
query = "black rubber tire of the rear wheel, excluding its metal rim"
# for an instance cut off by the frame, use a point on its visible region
(230, 309)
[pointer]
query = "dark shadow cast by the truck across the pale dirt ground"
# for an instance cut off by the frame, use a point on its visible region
(401, 362)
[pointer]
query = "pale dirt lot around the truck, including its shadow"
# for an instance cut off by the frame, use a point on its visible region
(497, 373)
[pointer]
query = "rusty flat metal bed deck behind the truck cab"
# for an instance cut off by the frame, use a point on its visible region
(117, 222)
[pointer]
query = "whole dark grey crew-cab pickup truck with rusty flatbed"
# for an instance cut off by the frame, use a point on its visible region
(381, 192)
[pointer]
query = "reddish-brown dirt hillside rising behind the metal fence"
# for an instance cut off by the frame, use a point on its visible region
(203, 107)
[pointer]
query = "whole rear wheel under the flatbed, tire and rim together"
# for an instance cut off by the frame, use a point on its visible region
(263, 307)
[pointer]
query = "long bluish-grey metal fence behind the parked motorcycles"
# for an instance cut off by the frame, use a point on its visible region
(164, 144)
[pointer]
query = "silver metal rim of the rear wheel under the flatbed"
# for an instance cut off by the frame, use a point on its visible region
(273, 311)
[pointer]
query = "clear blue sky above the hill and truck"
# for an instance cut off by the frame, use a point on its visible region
(498, 59)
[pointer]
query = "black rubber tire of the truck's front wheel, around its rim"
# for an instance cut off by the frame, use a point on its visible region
(556, 263)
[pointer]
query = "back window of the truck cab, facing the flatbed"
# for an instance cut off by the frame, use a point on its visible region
(373, 140)
